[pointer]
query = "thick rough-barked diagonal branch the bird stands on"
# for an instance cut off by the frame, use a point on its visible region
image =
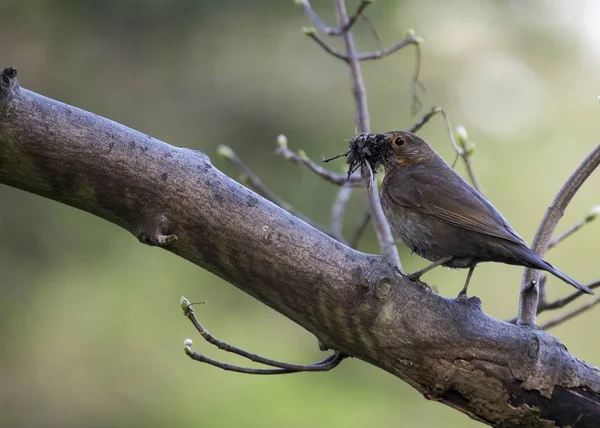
(498, 373)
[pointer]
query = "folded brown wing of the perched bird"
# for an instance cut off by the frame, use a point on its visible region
(455, 202)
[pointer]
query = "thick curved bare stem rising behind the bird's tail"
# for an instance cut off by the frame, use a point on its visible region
(528, 302)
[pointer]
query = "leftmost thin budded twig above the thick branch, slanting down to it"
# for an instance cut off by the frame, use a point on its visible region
(257, 184)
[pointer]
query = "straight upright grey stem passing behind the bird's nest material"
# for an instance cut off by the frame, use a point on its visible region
(382, 227)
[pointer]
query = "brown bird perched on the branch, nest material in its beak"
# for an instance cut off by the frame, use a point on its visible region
(437, 214)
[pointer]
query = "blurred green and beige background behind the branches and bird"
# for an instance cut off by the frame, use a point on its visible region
(90, 321)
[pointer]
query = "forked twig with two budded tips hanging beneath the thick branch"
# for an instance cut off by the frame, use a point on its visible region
(279, 367)
